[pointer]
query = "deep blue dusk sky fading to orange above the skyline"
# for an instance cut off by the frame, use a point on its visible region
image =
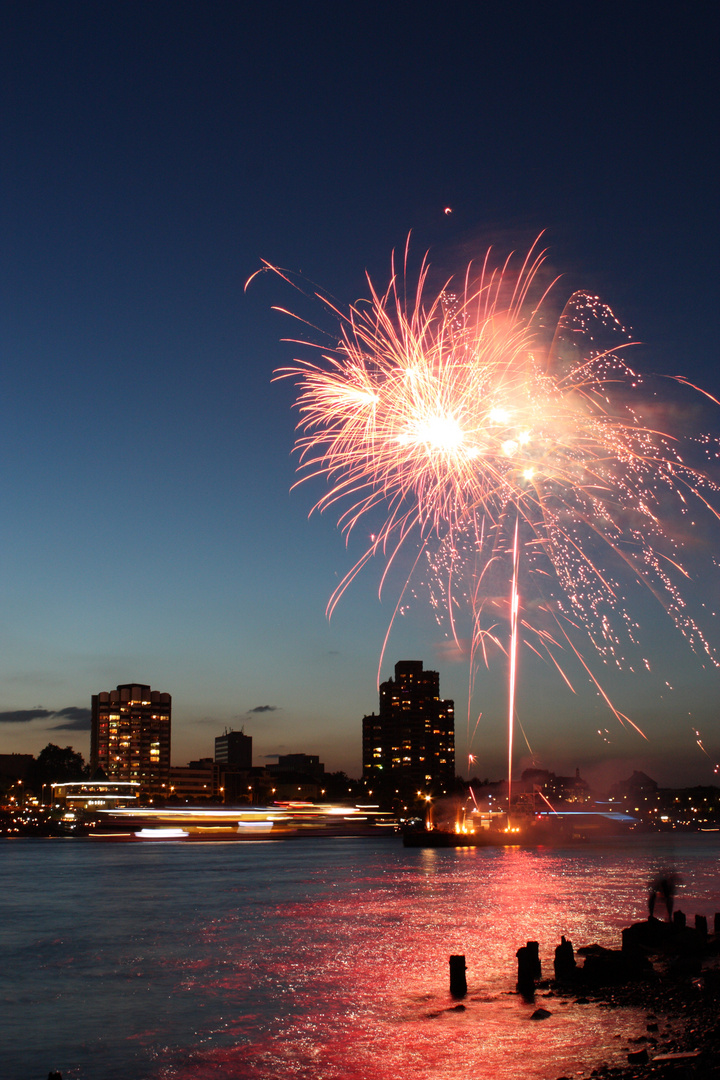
(153, 155)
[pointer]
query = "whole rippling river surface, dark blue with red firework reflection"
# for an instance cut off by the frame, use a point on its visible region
(311, 960)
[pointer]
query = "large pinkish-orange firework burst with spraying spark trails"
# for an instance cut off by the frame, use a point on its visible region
(478, 435)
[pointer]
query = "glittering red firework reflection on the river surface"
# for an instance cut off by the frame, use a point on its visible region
(348, 984)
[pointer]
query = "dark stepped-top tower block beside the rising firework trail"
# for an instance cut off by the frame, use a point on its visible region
(410, 746)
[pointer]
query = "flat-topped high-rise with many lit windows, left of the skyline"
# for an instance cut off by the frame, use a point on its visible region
(131, 736)
